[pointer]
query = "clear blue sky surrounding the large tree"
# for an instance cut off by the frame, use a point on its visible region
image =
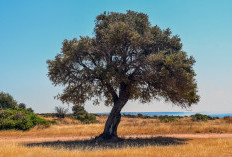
(32, 32)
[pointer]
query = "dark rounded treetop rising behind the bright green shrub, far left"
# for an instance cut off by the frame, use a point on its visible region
(7, 101)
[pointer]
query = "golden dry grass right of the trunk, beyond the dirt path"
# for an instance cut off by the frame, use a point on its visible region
(148, 126)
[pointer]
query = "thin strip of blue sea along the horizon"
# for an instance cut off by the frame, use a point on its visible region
(174, 113)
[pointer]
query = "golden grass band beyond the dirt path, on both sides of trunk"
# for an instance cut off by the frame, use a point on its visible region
(128, 126)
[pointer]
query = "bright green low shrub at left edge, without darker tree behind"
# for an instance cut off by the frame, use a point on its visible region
(19, 119)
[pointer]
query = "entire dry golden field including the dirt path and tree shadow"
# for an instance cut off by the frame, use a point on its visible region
(15, 143)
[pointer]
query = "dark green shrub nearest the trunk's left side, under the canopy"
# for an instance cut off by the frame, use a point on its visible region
(82, 115)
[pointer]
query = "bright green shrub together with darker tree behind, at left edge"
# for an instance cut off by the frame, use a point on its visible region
(17, 116)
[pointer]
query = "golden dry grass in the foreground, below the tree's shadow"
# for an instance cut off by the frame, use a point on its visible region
(197, 148)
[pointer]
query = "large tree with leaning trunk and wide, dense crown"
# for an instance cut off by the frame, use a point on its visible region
(126, 59)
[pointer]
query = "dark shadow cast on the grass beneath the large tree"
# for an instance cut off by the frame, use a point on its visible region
(92, 144)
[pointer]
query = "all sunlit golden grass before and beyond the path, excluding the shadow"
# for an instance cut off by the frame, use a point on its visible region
(128, 126)
